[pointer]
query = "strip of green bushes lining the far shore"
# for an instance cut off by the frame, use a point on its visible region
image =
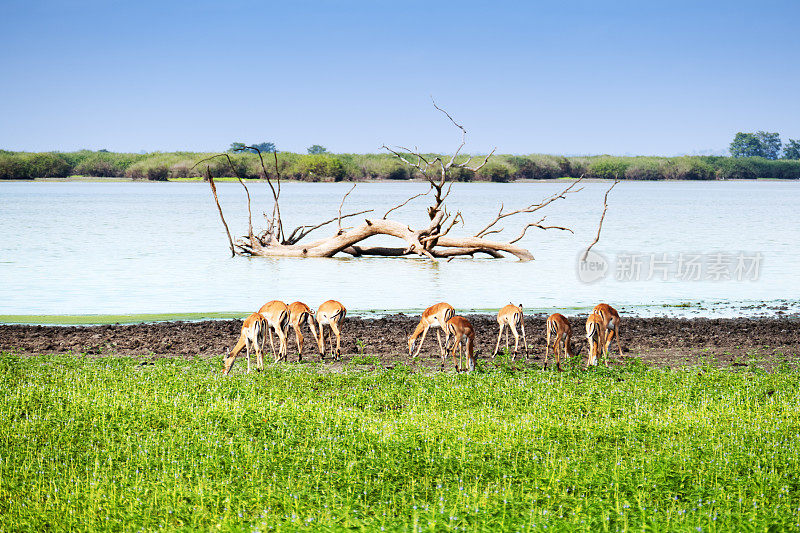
(162, 166)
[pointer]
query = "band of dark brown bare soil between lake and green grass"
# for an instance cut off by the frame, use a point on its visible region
(763, 342)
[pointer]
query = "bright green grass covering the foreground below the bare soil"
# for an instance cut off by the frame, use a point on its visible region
(109, 444)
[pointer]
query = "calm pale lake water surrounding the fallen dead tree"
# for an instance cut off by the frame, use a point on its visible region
(119, 248)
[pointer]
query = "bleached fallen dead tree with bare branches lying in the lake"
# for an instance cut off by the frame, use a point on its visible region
(433, 241)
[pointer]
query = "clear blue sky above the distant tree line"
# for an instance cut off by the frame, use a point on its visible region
(562, 77)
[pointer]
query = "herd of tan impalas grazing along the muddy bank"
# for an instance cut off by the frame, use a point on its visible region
(602, 327)
